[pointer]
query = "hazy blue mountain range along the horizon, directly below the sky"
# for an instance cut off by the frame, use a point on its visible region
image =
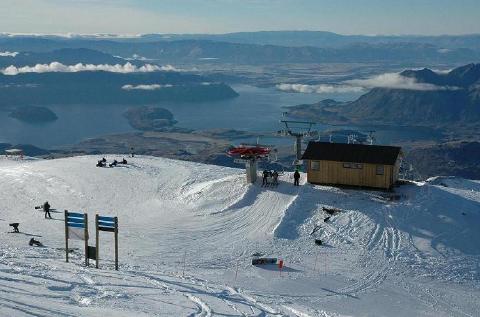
(266, 48)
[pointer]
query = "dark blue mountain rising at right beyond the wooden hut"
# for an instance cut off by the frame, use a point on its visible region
(451, 98)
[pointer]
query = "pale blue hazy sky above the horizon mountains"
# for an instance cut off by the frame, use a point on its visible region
(423, 17)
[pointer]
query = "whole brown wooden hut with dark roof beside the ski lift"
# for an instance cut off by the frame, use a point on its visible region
(352, 164)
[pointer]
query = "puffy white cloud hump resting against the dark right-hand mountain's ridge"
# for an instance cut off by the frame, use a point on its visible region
(393, 81)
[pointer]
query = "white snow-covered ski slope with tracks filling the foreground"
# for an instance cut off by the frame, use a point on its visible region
(188, 231)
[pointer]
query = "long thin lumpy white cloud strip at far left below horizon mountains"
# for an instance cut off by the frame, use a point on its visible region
(59, 67)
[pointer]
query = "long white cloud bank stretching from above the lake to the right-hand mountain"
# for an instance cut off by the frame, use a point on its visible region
(387, 80)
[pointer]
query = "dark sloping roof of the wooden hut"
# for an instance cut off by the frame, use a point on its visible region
(358, 153)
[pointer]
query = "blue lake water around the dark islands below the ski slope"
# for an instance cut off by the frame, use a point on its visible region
(256, 109)
